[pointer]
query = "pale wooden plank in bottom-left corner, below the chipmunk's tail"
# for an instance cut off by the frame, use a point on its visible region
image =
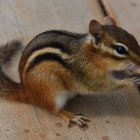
(18, 121)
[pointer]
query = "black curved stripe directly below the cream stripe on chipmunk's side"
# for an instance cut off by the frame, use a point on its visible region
(46, 57)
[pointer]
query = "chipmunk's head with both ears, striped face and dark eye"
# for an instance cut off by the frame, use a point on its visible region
(114, 45)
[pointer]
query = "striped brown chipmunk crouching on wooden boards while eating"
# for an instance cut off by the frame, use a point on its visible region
(56, 65)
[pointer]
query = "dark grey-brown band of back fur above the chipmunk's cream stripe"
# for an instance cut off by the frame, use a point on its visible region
(54, 38)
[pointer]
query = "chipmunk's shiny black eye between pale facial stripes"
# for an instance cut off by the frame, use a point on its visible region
(120, 49)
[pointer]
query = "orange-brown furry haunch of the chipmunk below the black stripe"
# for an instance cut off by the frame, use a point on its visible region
(42, 87)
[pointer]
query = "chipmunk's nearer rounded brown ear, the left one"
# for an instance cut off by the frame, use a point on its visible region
(95, 29)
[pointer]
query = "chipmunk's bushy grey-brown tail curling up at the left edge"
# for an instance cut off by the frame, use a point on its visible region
(9, 88)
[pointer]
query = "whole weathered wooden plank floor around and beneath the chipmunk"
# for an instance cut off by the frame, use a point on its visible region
(115, 116)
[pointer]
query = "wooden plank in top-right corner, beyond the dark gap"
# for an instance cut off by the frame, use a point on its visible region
(127, 11)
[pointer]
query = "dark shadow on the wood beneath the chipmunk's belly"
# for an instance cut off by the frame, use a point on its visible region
(107, 104)
